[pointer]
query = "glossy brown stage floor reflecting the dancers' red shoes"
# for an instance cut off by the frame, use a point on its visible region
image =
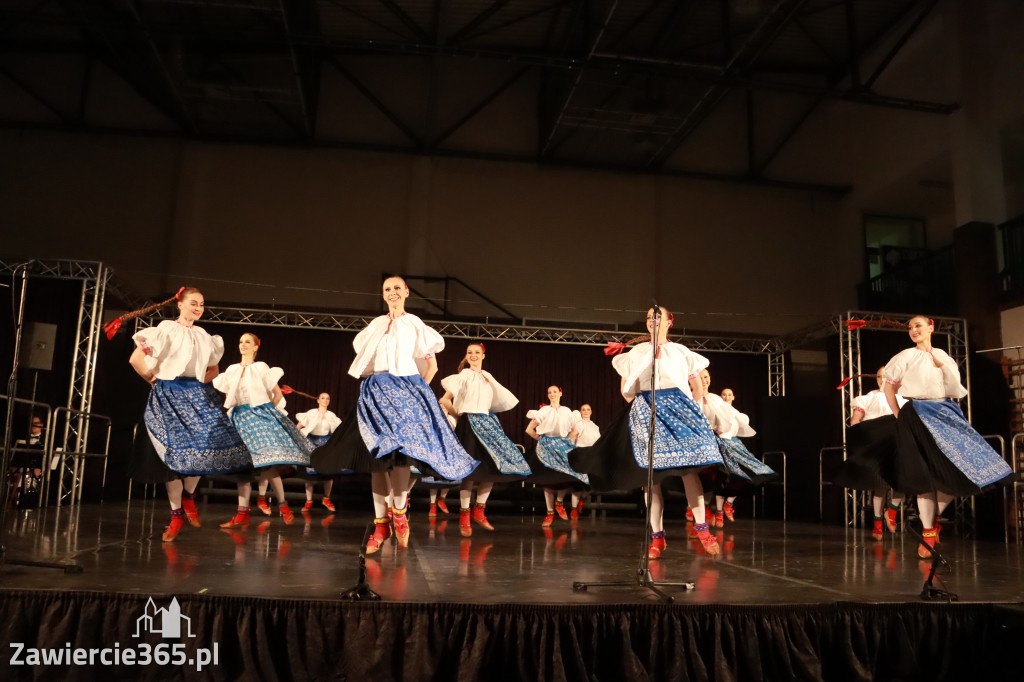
(762, 563)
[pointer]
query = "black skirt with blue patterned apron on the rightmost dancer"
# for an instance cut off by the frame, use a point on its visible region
(940, 451)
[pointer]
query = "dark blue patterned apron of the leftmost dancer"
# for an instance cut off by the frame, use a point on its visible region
(190, 431)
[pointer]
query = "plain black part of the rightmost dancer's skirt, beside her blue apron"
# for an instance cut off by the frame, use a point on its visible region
(922, 466)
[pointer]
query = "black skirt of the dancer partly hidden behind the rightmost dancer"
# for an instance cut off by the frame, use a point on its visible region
(871, 456)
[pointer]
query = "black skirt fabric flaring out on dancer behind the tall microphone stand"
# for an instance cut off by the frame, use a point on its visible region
(611, 464)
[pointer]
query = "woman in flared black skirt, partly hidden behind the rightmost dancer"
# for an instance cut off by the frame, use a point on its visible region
(871, 453)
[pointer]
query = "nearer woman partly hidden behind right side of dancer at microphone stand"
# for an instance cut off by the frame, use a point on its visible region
(729, 423)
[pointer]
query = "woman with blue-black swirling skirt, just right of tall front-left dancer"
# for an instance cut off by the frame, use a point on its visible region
(473, 397)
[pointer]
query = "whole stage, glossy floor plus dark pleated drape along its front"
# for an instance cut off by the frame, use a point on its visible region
(785, 602)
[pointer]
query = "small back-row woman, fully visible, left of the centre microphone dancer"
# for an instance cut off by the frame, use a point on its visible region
(550, 427)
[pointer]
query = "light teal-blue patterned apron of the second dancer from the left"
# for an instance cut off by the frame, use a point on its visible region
(272, 439)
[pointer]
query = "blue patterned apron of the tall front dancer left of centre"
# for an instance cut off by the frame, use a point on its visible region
(402, 415)
